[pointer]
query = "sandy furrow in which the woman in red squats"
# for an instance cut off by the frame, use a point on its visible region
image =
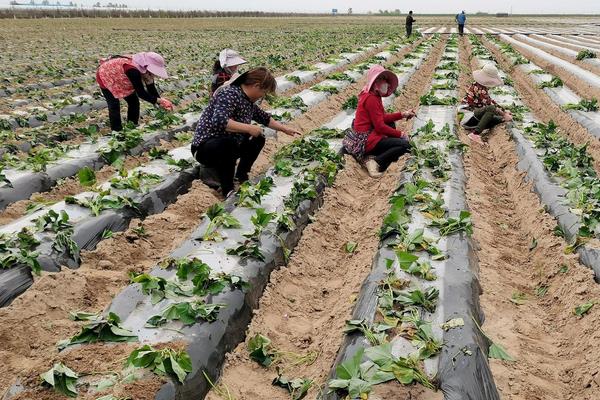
(305, 305)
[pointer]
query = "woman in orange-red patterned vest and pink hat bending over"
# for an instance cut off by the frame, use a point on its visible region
(131, 78)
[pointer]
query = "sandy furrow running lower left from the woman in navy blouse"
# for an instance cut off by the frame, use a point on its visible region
(36, 320)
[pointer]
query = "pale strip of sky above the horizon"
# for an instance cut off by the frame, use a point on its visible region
(360, 6)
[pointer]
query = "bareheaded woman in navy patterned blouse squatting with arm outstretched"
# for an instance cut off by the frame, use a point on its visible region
(225, 134)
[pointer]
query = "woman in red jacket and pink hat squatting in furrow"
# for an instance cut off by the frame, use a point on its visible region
(373, 135)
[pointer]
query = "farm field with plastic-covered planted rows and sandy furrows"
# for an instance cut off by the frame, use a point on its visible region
(465, 271)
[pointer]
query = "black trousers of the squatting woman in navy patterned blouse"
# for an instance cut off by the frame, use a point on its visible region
(222, 153)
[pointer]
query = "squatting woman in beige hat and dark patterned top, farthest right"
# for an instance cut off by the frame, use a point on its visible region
(486, 112)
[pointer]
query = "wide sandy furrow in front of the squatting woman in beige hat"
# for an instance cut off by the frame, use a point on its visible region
(551, 345)
